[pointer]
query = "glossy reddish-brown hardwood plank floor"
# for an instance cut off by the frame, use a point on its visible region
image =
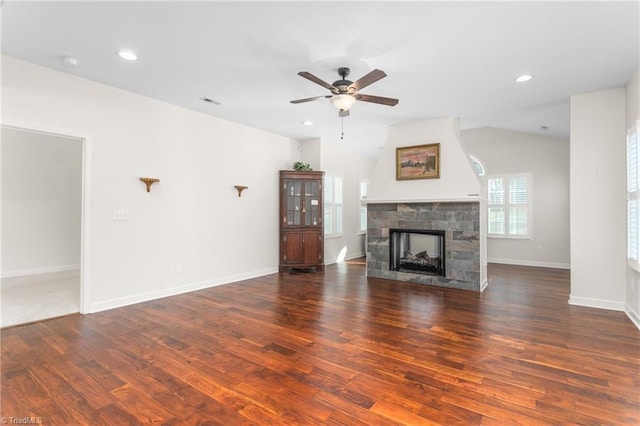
(333, 348)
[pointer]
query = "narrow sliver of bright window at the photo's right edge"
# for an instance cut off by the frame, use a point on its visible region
(633, 197)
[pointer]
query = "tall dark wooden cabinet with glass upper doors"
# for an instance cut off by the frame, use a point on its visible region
(301, 215)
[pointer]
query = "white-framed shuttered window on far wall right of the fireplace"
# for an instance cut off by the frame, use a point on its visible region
(509, 206)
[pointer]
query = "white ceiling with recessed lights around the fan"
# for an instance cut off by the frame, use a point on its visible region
(442, 59)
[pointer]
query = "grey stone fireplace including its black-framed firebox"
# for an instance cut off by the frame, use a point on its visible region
(400, 244)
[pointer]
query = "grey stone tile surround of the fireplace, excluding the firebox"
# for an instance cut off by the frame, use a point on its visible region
(459, 220)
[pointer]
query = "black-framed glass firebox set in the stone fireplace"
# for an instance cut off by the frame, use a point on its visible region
(417, 251)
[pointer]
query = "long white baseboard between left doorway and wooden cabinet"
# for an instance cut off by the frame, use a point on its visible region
(174, 291)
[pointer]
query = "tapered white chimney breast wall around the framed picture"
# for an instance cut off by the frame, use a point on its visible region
(457, 179)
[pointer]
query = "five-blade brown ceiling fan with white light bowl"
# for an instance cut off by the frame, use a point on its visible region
(345, 92)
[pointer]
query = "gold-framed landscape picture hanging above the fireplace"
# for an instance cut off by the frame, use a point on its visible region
(418, 162)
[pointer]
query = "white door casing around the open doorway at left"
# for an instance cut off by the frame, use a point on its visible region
(85, 238)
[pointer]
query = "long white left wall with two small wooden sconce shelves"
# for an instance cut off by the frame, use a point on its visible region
(192, 218)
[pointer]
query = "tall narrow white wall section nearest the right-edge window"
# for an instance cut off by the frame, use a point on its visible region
(598, 199)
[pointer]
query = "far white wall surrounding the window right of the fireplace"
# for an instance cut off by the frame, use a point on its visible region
(546, 159)
